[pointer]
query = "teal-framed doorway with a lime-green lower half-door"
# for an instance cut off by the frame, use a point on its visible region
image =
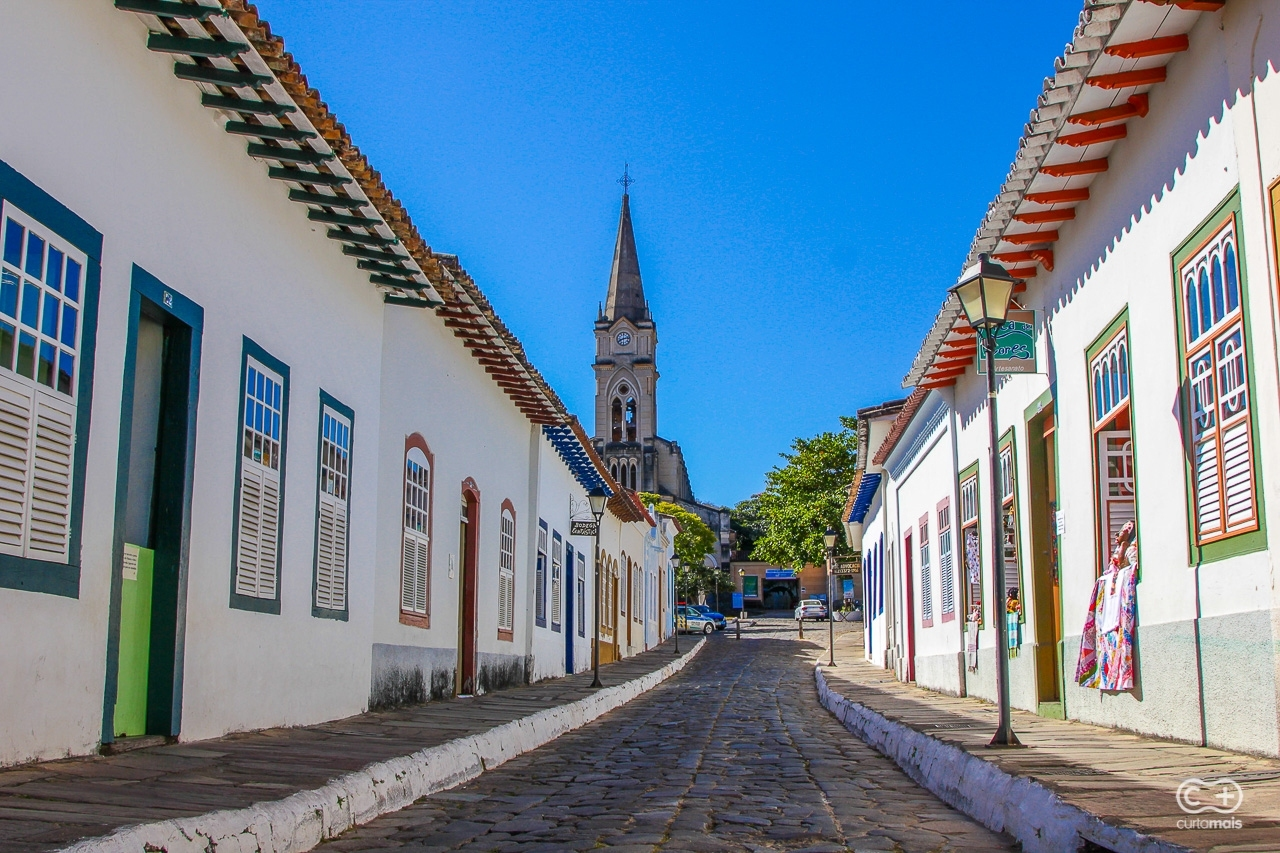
(153, 519)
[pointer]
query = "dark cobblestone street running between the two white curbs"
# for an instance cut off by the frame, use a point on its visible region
(734, 754)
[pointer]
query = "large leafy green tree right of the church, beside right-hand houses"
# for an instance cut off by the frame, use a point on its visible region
(806, 496)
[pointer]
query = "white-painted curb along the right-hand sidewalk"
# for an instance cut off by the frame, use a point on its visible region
(1022, 808)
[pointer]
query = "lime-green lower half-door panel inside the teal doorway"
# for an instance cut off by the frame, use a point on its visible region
(131, 697)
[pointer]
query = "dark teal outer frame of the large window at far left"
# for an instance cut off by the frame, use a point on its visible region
(58, 572)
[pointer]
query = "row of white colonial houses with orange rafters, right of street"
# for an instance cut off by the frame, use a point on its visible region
(1141, 212)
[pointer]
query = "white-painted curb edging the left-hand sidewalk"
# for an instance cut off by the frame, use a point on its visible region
(304, 820)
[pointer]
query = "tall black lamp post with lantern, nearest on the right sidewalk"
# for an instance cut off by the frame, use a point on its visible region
(985, 291)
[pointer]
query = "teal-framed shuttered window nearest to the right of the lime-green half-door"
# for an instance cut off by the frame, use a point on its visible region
(258, 528)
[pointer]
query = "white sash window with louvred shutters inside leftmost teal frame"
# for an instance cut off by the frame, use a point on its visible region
(42, 288)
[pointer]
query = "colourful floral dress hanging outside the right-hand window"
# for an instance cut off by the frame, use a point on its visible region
(1107, 647)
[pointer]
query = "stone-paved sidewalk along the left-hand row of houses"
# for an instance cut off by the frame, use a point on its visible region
(56, 804)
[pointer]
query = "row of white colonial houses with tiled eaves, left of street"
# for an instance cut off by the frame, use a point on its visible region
(266, 458)
